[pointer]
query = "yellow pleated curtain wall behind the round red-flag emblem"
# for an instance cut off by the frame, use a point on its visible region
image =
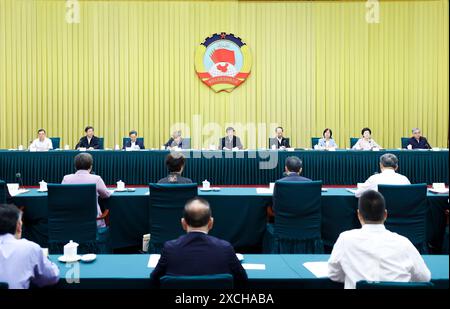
(316, 64)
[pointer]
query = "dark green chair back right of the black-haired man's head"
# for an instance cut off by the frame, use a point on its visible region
(407, 209)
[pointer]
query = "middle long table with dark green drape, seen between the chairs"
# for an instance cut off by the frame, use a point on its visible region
(239, 216)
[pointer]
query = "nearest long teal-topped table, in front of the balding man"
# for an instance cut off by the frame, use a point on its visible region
(281, 271)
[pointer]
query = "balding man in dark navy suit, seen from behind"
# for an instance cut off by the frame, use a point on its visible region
(197, 253)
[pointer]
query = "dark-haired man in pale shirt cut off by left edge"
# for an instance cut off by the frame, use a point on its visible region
(22, 262)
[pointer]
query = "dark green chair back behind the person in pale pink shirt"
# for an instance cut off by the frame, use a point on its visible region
(72, 213)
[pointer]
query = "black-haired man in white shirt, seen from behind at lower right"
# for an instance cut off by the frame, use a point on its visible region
(372, 252)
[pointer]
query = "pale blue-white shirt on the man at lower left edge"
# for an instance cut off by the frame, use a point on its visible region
(22, 262)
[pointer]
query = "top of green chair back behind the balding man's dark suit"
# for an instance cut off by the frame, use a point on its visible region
(219, 281)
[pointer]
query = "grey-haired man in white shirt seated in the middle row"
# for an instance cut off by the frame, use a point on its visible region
(388, 175)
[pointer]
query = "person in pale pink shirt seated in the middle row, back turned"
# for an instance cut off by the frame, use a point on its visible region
(83, 165)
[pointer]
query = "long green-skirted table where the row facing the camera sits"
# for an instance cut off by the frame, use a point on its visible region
(341, 167)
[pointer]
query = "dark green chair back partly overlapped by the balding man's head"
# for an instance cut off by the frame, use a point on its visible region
(166, 209)
